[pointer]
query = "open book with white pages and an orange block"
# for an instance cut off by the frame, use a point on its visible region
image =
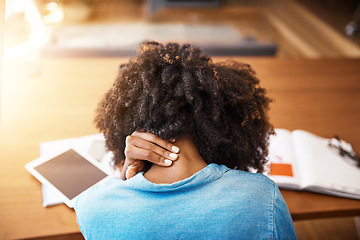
(303, 161)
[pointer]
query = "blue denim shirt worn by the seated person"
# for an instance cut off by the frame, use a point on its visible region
(215, 203)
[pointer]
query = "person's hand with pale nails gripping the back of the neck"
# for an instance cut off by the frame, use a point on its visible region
(141, 147)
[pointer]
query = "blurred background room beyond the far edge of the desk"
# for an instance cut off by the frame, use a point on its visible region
(277, 28)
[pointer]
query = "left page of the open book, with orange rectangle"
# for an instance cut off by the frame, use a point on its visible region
(282, 160)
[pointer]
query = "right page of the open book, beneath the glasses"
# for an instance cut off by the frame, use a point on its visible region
(322, 168)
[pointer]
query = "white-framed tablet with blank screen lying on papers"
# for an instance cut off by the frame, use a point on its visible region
(68, 174)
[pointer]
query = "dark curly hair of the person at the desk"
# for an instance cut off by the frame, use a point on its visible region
(173, 90)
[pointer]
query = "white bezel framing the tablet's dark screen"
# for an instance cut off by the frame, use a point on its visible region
(31, 167)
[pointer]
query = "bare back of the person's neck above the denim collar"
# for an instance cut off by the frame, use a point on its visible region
(188, 163)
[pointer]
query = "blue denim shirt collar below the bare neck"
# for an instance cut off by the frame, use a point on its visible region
(210, 173)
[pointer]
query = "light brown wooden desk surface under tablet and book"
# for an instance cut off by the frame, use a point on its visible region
(321, 96)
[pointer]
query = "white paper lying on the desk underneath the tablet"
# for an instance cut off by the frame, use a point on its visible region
(94, 145)
